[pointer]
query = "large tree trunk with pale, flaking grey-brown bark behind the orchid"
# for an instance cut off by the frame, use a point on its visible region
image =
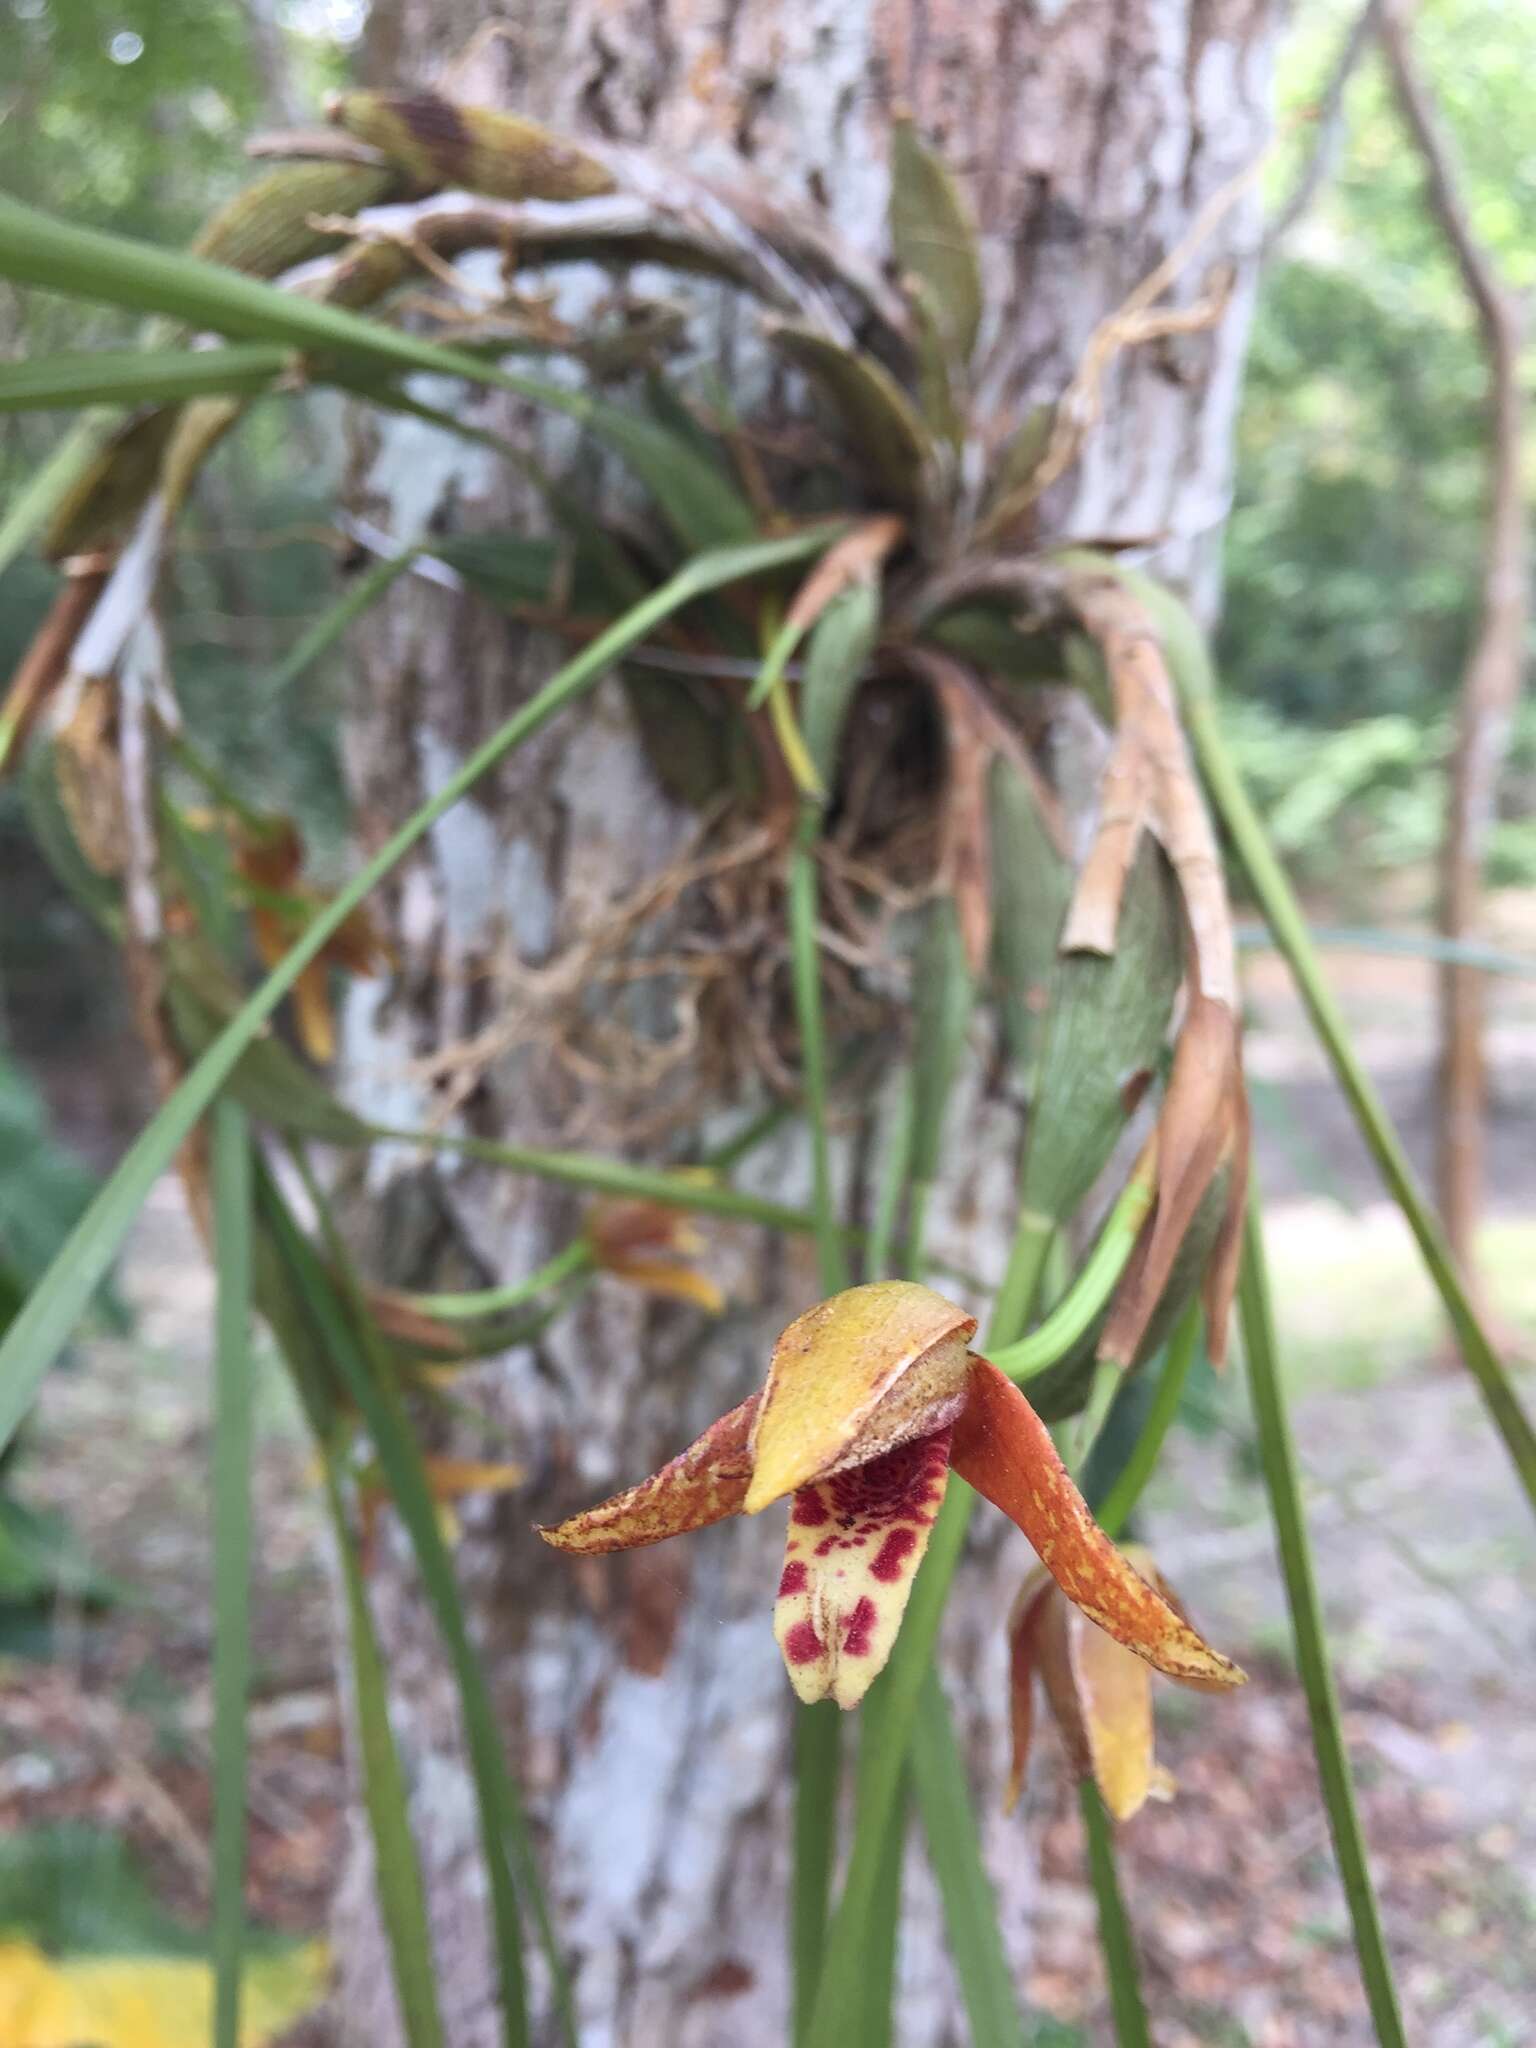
(642, 1697)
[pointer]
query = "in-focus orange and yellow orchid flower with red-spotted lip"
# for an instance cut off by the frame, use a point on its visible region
(873, 1400)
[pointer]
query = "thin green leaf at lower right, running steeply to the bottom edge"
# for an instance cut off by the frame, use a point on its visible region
(1283, 1482)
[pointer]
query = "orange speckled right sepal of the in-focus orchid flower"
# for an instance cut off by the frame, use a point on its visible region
(1005, 1451)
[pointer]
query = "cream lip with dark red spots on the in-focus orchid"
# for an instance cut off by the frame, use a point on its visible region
(853, 1551)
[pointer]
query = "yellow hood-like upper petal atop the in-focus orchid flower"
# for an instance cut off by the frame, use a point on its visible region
(855, 1377)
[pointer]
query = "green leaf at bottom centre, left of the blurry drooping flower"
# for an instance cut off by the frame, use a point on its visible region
(955, 1852)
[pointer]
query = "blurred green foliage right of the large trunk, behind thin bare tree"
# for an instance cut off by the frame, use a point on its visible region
(1353, 554)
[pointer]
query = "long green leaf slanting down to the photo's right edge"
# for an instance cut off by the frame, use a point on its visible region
(1285, 919)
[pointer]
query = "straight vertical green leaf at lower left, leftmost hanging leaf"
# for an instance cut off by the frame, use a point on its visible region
(232, 1451)
